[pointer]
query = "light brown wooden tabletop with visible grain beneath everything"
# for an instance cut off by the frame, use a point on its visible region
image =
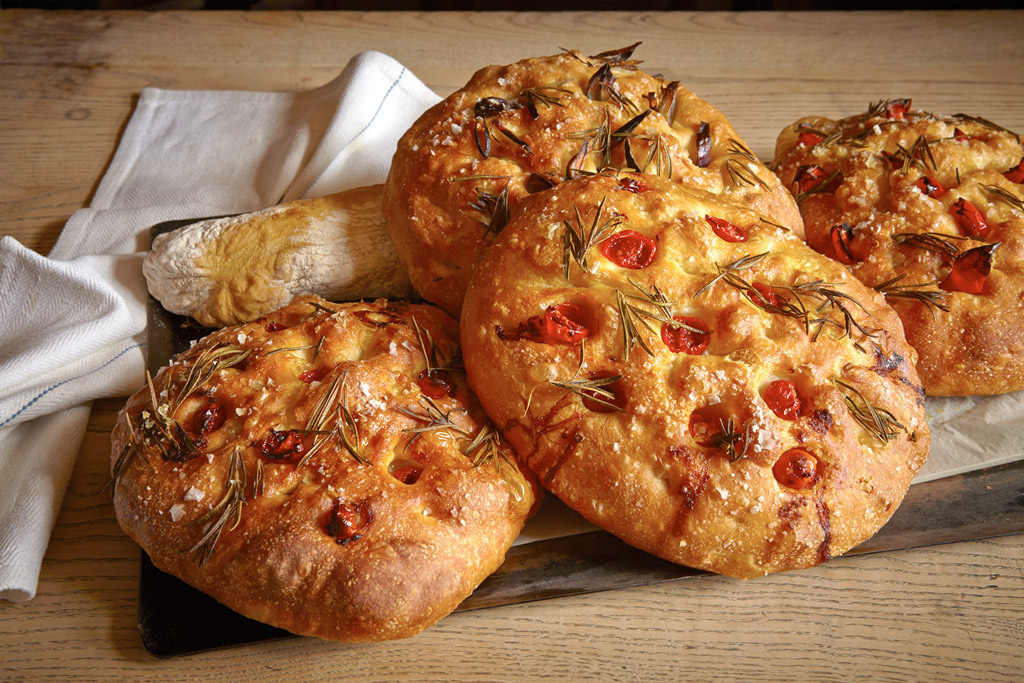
(68, 84)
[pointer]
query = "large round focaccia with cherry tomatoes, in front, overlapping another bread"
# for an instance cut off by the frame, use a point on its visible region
(701, 383)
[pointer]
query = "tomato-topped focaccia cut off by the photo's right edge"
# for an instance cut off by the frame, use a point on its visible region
(930, 210)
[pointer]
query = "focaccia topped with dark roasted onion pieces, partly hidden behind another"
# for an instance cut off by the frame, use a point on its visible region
(463, 168)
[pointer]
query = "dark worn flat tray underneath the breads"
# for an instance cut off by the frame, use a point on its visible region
(176, 619)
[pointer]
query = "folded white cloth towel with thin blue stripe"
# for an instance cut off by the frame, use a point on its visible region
(74, 323)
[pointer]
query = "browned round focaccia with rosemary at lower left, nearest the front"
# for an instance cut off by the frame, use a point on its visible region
(323, 469)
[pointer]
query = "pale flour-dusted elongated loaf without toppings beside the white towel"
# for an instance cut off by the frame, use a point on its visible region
(230, 271)
